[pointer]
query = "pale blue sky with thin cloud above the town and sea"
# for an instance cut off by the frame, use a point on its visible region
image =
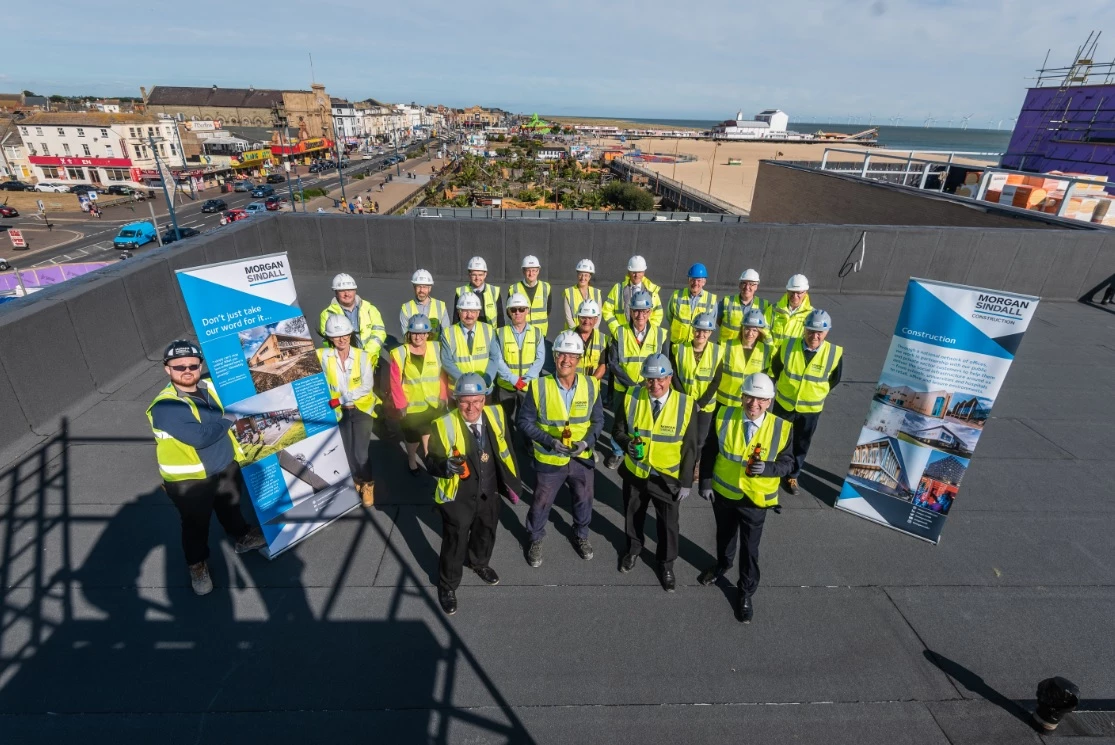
(812, 59)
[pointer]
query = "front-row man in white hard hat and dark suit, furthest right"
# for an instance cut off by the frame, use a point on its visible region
(748, 452)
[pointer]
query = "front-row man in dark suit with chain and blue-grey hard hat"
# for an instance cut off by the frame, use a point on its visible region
(473, 462)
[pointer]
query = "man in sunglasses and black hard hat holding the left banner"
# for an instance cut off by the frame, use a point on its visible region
(198, 453)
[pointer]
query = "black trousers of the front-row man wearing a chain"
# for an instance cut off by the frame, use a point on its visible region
(469, 528)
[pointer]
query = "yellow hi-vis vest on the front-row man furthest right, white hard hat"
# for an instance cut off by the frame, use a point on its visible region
(730, 473)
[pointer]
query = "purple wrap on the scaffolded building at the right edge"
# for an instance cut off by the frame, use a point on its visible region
(1071, 130)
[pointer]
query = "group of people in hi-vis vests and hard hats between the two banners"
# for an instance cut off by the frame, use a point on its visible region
(734, 417)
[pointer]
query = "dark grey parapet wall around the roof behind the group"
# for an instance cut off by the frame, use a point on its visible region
(63, 349)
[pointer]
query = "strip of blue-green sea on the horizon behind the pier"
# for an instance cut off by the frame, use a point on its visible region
(923, 139)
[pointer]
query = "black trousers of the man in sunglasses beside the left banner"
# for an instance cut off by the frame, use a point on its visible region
(198, 499)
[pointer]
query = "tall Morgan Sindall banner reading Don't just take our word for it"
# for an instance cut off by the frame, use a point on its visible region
(261, 357)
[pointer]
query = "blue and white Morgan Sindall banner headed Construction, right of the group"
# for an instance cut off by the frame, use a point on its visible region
(949, 356)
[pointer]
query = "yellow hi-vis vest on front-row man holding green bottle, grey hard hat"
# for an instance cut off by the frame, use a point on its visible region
(662, 438)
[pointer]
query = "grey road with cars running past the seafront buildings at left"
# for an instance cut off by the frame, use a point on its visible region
(96, 236)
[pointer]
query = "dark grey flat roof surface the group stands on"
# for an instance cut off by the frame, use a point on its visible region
(861, 635)
